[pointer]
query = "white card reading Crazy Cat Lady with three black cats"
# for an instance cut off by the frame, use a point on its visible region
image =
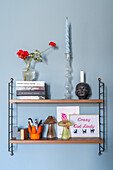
(84, 125)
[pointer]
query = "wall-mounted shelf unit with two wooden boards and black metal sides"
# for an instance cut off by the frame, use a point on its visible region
(100, 102)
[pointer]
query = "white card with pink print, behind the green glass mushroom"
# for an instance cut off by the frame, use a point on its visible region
(63, 114)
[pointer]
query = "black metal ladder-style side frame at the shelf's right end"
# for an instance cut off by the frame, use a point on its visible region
(101, 117)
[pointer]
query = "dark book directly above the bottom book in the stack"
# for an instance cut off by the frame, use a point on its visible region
(30, 93)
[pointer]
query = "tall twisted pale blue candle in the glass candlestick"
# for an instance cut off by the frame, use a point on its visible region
(67, 37)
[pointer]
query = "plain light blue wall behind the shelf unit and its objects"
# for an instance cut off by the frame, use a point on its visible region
(30, 25)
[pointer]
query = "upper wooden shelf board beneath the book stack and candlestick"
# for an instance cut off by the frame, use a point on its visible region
(55, 101)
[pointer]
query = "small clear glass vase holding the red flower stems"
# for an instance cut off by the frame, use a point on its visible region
(28, 74)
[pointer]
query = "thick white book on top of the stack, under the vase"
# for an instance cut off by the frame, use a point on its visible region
(30, 83)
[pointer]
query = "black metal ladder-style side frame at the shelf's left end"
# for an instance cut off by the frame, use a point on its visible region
(10, 116)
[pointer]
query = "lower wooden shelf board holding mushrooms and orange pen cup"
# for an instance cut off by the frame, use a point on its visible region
(59, 141)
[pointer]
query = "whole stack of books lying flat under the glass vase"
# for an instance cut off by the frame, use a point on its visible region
(30, 89)
